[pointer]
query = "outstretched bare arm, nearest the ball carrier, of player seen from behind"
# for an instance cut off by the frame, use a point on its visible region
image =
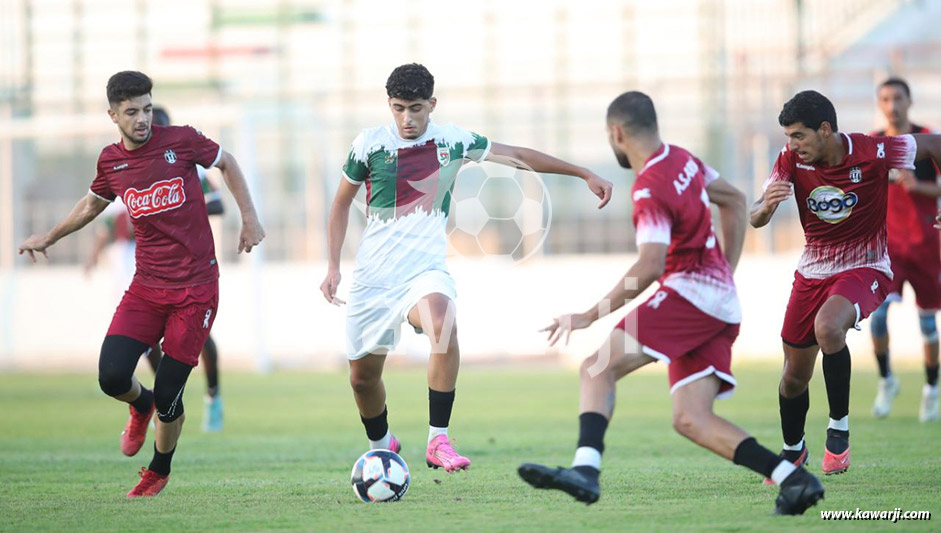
(647, 269)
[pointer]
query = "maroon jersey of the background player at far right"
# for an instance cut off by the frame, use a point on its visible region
(910, 217)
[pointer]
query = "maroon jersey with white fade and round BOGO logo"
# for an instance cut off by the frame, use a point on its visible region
(843, 207)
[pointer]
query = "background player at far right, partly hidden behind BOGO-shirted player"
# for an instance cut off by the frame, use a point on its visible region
(915, 251)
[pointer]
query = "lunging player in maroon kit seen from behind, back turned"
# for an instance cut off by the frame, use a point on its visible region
(690, 323)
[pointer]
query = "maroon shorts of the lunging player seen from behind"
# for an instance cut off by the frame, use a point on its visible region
(694, 345)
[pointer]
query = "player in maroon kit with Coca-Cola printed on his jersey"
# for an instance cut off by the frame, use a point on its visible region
(175, 290)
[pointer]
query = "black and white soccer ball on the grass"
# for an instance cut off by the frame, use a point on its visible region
(380, 476)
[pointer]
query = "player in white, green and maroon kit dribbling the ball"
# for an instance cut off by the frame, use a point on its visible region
(409, 168)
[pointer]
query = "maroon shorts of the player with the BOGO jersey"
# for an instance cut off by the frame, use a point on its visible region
(865, 288)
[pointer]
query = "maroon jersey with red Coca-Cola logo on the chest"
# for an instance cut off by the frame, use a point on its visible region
(160, 187)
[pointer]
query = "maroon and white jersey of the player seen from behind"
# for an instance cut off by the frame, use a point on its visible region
(671, 207)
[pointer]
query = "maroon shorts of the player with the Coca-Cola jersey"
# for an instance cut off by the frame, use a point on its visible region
(182, 317)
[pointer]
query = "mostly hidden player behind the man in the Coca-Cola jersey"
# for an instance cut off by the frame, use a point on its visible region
(212, 419)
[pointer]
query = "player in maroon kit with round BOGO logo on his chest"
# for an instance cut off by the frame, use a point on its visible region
(840, 182)
